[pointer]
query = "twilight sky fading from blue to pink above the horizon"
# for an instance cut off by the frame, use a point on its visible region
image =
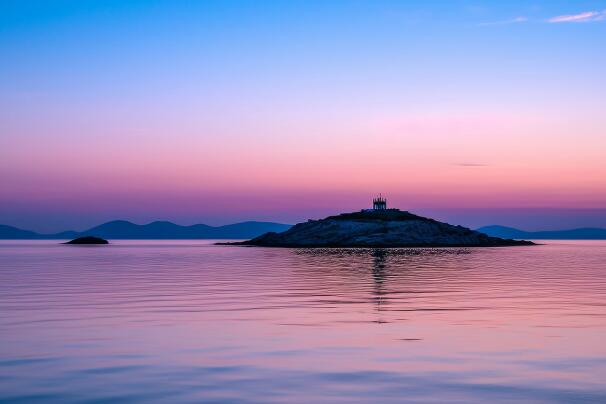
(473, 112)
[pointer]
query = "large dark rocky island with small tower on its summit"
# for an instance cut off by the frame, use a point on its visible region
(379, 227)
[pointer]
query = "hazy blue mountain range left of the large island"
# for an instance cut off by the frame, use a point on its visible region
(122, 229)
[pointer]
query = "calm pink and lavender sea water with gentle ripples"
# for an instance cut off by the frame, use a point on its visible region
(187, 321)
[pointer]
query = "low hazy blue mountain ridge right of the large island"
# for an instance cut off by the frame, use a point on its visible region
(587, 233)
